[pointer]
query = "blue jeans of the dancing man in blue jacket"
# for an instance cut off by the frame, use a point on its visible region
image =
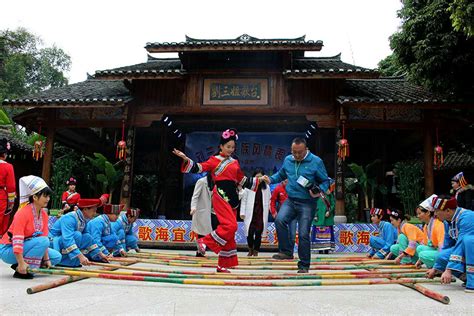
(303, 211)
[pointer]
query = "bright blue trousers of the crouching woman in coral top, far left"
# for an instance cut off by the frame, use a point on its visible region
(33, 251)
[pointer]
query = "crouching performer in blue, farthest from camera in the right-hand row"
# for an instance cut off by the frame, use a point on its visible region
(387, 235)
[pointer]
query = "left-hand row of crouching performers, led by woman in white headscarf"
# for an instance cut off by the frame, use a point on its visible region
(75, 239)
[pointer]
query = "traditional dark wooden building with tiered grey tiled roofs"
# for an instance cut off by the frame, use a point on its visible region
(255, 85)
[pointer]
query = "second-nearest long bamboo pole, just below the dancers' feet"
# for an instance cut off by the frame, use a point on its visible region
(187, 272)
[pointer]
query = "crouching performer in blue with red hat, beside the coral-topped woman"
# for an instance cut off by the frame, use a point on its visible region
(68, 237)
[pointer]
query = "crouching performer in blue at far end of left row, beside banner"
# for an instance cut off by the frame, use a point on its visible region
(123, 228)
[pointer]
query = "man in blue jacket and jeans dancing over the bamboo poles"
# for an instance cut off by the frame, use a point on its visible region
(306, 176)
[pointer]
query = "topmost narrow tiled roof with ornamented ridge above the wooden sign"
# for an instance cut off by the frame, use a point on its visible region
(243, 42)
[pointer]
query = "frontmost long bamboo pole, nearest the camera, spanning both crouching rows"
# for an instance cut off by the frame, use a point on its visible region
(231, 283)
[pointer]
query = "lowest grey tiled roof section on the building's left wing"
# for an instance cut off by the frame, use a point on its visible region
(93, 93)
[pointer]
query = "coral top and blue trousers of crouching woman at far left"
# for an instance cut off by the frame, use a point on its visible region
(28, 236)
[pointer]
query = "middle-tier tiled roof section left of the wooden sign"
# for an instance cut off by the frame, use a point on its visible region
(153, 68)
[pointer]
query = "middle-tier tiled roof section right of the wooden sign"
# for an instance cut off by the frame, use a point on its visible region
(318, 67)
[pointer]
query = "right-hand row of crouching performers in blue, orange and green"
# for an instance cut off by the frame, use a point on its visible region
(445, 244)
